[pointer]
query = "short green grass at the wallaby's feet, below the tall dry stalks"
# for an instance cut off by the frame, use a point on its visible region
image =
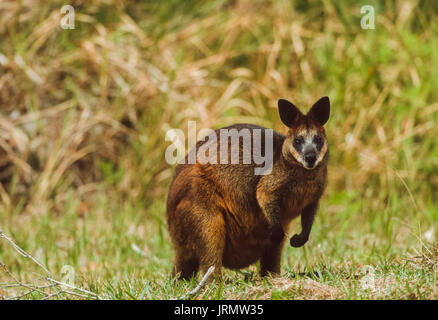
(333, 264)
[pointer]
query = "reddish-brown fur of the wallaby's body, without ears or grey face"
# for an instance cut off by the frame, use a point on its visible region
(225, 215)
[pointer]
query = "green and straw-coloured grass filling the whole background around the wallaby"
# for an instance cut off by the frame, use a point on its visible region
(84, 114)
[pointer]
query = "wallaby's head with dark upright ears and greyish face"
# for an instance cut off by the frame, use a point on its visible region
(306, 142)
